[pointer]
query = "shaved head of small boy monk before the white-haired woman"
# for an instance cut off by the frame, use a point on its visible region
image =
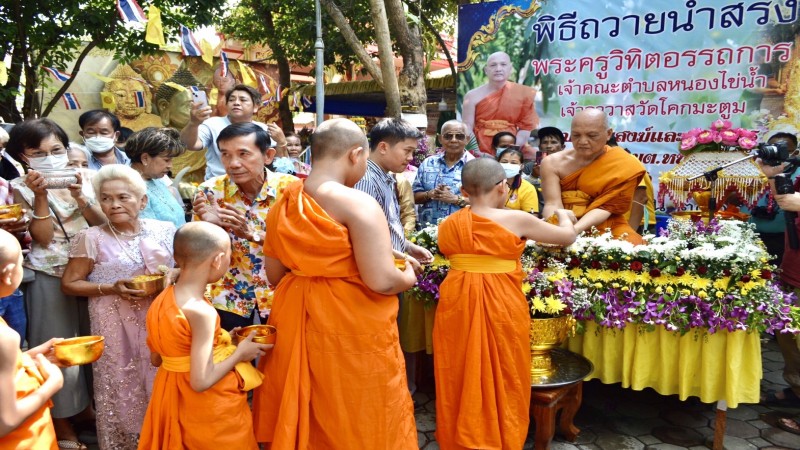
(195, 242)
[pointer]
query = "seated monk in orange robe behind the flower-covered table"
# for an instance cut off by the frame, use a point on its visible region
(594, 180)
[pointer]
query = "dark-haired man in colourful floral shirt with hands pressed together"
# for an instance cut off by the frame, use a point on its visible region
(238, 202)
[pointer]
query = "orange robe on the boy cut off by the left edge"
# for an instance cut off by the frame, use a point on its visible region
(36, 432)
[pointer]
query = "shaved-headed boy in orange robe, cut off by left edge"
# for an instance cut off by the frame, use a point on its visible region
(25, 385)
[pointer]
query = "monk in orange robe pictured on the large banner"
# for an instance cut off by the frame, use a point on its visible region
(499, 105)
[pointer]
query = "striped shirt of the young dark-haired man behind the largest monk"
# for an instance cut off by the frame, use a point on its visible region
(382, 187)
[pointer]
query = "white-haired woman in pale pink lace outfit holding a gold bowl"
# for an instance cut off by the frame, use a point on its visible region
(102, 259)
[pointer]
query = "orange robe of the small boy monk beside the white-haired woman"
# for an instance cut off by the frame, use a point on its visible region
(178, 417)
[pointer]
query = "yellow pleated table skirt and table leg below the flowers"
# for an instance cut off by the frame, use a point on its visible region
(724, 367)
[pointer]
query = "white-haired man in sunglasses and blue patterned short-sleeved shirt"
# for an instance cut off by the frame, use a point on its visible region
(437, 187)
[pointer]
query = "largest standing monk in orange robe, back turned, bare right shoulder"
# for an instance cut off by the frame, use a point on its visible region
(336, 377)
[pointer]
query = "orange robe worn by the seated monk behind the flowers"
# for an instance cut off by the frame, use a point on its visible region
(608, 183)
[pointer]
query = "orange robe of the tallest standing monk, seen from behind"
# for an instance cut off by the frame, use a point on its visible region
(336, 377)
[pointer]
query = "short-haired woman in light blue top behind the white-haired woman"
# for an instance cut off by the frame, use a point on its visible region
(151, 151)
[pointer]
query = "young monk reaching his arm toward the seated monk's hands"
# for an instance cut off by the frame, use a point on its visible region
(480, 336)
